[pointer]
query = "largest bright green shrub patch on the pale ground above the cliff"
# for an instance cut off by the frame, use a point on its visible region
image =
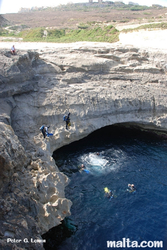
(84, 33)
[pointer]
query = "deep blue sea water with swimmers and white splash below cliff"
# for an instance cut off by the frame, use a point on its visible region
(125, 156)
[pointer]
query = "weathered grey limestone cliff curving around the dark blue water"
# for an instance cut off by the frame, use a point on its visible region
(99, 85)
